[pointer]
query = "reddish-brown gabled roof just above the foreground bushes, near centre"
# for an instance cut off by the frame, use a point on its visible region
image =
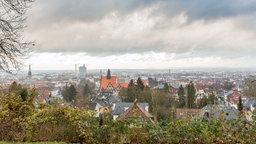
(136, 111)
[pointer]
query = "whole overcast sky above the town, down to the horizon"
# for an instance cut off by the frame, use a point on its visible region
(142, 33)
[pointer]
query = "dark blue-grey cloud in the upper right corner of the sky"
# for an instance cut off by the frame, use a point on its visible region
(209, 9)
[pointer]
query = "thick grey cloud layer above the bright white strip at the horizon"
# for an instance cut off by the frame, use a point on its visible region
(189, 28)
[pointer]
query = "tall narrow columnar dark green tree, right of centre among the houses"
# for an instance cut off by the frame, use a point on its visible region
(191, 95)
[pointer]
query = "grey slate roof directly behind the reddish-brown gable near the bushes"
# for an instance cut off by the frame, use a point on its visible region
(120, 107)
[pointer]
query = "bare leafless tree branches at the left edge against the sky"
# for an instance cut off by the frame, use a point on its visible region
(13, 47)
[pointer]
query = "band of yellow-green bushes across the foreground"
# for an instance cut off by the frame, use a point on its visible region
(21, 121)
